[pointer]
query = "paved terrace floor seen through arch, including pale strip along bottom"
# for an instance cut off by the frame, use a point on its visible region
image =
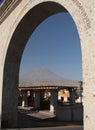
(29, 119)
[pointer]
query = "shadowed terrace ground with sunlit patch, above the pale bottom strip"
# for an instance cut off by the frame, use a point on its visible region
(30, 118)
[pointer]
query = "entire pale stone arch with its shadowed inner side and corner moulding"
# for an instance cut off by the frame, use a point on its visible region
(18, 19)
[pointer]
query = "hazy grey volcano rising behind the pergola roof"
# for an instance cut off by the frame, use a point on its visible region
(44, 77)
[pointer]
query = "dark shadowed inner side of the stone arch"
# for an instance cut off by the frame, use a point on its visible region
(14, 54)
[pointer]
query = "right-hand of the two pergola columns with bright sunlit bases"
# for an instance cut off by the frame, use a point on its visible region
(53, 100)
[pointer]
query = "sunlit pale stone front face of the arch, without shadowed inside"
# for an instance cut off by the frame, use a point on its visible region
(83, 13)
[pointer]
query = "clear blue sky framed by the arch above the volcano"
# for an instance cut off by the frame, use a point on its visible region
(54, 45)
